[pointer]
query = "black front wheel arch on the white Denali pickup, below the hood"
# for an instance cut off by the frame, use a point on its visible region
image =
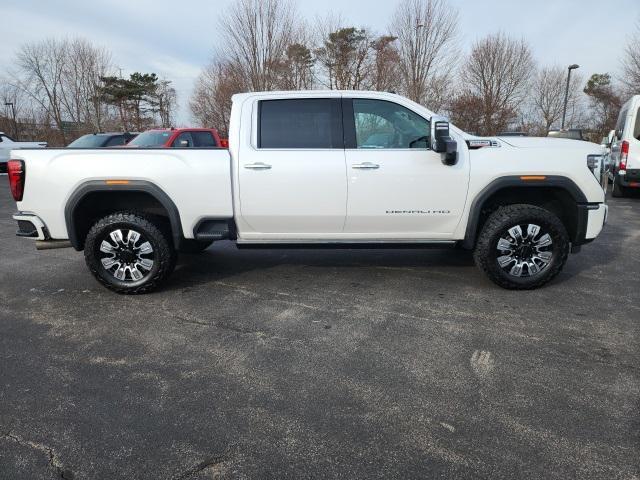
(556, 193)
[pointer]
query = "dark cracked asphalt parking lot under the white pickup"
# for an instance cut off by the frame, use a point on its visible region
(321, 364)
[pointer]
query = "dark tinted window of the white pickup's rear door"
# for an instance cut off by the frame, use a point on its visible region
(300, 123)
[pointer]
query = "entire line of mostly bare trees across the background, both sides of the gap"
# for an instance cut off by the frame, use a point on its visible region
(60, 89)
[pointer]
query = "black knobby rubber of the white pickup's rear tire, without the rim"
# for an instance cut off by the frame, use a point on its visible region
(164, 254)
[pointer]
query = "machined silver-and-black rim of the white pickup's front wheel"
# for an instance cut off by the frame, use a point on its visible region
(524, 255)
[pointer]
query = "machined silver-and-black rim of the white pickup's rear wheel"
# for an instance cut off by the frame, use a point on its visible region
(128, 258)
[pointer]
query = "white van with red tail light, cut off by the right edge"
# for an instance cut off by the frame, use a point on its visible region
(625, 149)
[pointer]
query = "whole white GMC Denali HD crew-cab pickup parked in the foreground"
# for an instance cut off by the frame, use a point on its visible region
(316, 169)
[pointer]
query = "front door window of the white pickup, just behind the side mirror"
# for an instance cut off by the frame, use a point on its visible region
(382, 124)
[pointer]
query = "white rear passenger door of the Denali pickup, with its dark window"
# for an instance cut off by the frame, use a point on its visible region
(292, 177)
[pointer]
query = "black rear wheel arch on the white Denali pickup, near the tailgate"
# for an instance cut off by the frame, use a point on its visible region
(97, 198)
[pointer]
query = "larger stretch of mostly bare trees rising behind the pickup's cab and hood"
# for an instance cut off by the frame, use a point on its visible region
(497, 85)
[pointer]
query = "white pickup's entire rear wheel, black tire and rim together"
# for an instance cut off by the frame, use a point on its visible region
(128, 253)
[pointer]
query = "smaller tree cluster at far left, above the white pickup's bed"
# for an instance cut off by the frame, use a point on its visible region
(61, 89)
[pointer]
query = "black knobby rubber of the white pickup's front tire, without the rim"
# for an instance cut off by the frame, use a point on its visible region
(486, 251)
